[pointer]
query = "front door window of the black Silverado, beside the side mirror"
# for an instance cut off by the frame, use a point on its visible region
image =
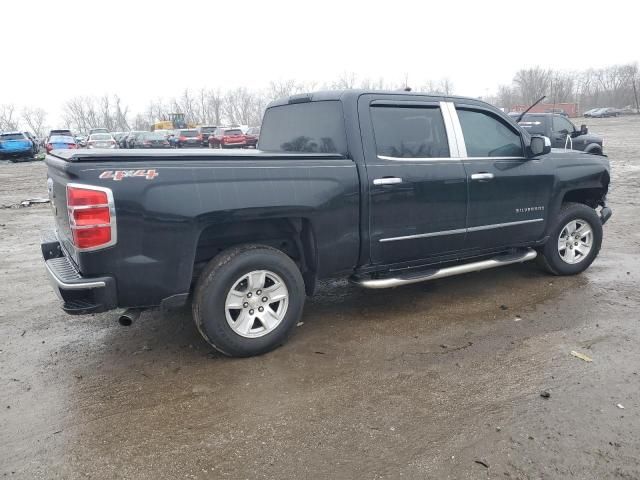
(488, 136)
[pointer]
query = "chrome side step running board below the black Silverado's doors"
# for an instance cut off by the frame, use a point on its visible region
(494, 262)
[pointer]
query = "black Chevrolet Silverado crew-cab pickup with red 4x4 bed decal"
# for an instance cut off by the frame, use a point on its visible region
(385, 188)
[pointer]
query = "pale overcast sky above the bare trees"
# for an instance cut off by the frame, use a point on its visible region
(144, 50)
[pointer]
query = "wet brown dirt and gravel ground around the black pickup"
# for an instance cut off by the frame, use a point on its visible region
(436, 380)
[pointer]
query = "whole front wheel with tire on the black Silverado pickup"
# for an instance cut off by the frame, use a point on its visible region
(574, 242)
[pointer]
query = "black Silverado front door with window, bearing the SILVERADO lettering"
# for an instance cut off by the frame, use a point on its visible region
(508, 193)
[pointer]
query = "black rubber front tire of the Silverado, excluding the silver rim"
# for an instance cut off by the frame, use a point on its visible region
(549, 256)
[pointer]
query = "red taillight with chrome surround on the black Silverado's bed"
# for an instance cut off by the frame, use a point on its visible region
(91, 216)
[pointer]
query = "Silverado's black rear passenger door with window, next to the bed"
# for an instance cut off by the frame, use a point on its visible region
(417, 188)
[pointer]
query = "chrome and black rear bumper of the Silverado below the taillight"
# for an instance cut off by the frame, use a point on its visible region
(79, 294)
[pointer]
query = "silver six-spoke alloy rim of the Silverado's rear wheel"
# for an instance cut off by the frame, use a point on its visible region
(256, 304)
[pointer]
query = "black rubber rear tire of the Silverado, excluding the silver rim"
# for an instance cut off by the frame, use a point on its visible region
(219, 277)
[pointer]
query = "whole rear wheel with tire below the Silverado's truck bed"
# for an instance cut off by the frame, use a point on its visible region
(248, 300)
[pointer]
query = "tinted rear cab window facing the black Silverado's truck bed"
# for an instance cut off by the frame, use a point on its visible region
(313, 127)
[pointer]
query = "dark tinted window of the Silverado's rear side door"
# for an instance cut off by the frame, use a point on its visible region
(409, 132)
